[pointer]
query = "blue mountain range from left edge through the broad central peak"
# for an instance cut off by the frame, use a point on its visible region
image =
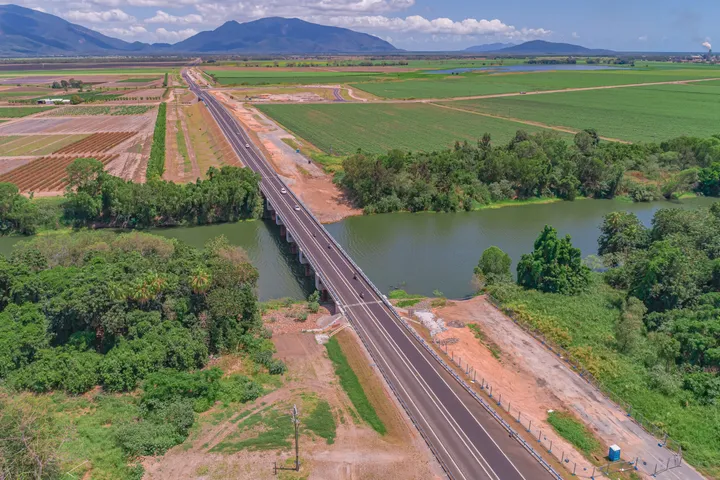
(27, 32)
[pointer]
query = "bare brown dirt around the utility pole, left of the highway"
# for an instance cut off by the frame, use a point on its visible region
(358, 452)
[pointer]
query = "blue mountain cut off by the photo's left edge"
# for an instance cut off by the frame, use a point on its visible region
(31, 33)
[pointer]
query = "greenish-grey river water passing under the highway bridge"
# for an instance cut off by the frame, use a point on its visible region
(418, 252)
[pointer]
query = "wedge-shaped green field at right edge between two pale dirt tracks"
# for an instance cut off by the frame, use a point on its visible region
(636, 114)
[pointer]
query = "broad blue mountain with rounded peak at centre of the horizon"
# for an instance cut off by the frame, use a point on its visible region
(281, 35)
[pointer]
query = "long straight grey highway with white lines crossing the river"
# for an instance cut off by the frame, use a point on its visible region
(466, 440)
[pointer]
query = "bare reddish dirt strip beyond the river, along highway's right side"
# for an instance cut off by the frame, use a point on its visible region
(314, 187)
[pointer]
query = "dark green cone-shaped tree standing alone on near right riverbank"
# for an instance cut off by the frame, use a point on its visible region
(554, 266)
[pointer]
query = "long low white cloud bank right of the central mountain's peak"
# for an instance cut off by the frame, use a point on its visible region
(446, 26)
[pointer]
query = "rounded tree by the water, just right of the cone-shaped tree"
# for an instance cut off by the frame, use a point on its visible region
(620, 234)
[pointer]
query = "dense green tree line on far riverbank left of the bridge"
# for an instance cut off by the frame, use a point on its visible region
(94, 198)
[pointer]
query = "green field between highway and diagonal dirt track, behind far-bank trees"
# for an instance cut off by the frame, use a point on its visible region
(343, 128)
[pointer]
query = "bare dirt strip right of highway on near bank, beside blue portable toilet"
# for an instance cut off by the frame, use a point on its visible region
(535, 380)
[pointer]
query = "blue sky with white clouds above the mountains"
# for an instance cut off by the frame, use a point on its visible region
(420, 25)
